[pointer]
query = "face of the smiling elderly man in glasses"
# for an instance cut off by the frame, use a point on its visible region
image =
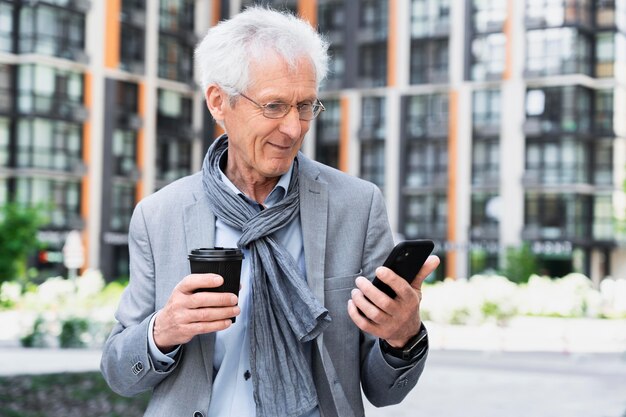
(263, 147)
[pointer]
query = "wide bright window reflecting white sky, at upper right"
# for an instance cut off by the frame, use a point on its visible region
(557, 51)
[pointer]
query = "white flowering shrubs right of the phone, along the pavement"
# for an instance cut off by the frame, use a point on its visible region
(495, 298)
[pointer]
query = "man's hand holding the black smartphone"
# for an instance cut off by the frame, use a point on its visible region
(395, 320)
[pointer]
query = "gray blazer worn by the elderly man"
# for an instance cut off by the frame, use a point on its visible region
(346, 234)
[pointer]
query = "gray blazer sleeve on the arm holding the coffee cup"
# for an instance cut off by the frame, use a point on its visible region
(126, 363)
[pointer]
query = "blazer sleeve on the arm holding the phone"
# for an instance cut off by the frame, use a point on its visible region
(382, 383)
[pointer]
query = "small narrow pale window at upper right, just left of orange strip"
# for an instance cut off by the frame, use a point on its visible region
(488, 56)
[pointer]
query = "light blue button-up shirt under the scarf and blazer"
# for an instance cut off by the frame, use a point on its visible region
(232, 383)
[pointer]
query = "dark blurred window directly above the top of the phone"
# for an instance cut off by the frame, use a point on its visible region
(426, 216)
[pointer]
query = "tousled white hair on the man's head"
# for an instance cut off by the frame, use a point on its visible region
(224, 56)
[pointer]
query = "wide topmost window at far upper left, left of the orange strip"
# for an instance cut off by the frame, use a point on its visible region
(50, 30)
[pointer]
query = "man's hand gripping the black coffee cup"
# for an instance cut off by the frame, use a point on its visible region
(187, 314)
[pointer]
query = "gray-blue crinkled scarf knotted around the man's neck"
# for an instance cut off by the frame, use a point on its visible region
(284, 314)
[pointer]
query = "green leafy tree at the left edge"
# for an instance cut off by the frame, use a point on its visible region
(18, 238)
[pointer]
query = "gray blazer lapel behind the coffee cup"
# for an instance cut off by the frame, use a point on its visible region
(200, 233)
